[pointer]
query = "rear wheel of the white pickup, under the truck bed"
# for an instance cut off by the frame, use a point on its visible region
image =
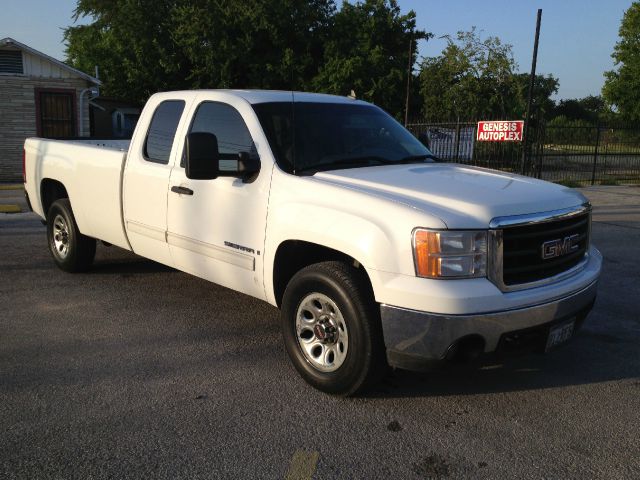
(71, 250)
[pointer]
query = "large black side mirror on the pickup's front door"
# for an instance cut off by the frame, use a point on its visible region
(204, 162)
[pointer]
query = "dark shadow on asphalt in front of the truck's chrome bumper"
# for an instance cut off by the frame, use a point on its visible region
(591, 358)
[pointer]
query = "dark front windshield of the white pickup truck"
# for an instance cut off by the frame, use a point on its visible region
(329, 136)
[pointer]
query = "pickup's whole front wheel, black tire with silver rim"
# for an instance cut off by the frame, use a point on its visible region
(363, 363)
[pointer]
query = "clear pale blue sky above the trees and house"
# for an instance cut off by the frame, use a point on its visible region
(576, 39)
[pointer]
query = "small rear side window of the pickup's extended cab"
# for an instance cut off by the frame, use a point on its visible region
(162, 131)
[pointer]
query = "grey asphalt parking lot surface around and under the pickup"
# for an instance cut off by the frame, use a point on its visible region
(135, 370)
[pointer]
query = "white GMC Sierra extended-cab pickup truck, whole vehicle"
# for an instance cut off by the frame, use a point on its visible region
(329, 209)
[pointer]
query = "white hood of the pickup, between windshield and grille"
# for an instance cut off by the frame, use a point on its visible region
(461, 196)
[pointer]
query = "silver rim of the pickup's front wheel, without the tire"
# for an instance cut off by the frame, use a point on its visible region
(322, 332)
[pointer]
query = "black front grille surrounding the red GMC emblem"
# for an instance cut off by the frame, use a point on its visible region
(522, 249)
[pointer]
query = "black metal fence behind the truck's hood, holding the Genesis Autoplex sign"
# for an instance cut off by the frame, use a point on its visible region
(571, 155)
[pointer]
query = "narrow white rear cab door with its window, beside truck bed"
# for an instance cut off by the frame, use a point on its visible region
(147, 175)
